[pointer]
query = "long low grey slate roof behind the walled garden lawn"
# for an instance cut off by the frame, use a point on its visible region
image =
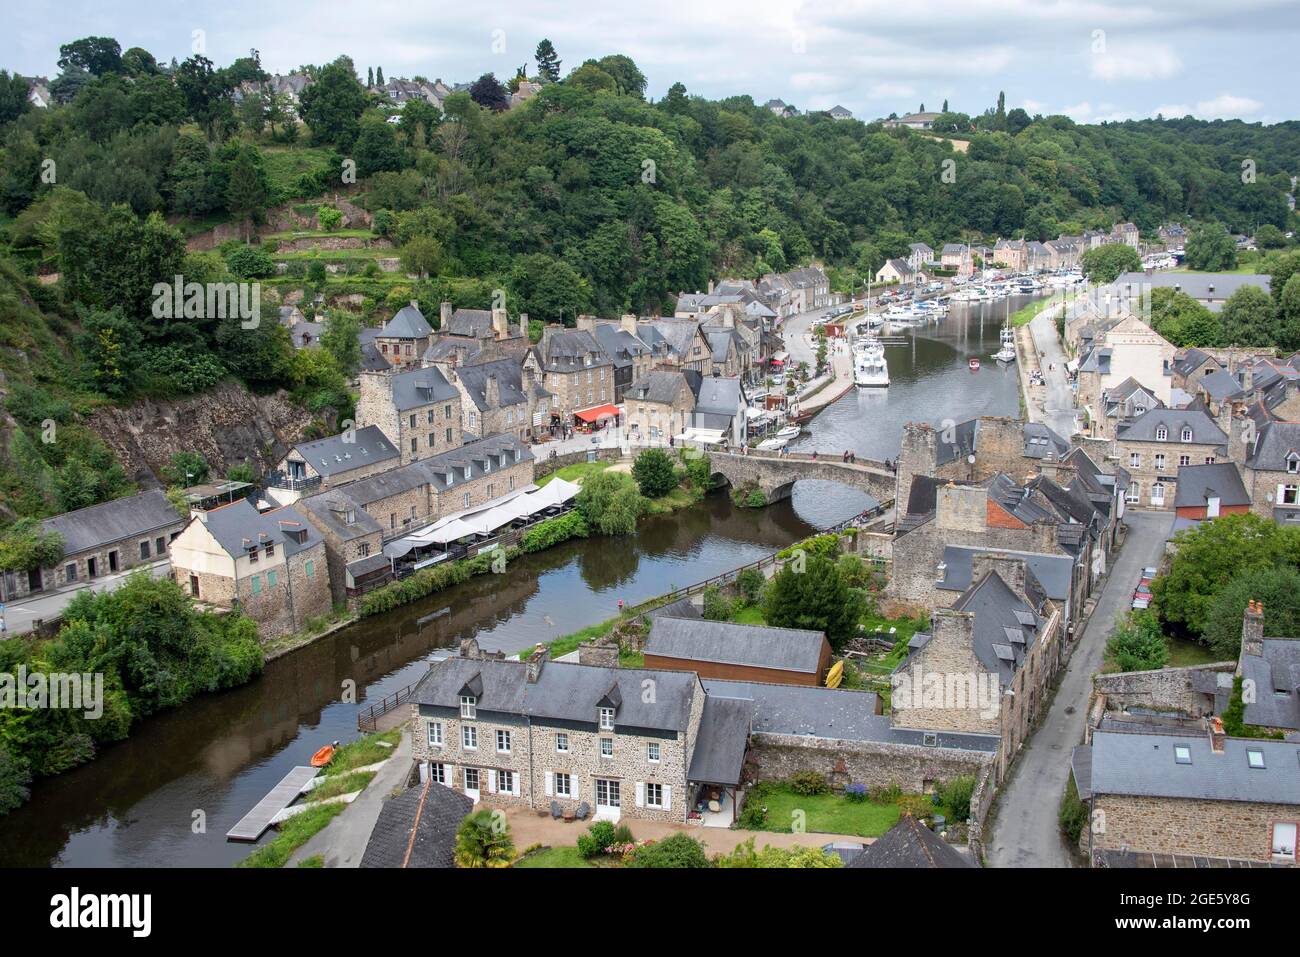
(831, 713)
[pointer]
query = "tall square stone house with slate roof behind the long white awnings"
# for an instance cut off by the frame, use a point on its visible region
(419, 412)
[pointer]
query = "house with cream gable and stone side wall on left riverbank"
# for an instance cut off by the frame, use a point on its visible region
(272, 566)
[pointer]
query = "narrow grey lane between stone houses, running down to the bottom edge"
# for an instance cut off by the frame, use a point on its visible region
(1025, 832)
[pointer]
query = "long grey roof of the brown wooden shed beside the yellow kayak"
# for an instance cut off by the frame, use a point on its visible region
(729, 643)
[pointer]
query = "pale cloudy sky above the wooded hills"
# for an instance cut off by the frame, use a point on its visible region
(1090, 59)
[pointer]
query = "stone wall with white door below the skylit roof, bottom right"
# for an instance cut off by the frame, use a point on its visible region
(1185, 826)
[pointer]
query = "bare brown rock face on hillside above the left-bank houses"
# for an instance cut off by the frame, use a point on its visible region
(227, 426)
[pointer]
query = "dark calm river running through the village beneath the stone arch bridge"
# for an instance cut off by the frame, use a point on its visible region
(167, 796)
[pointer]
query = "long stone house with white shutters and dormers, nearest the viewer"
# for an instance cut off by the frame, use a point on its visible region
(530, 734)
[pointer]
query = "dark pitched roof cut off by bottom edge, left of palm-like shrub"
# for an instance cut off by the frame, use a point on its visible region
(432, 813)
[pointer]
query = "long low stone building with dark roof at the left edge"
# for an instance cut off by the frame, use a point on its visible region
(105, 539)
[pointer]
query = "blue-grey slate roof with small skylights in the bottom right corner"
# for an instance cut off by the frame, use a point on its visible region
(1143, 765)
